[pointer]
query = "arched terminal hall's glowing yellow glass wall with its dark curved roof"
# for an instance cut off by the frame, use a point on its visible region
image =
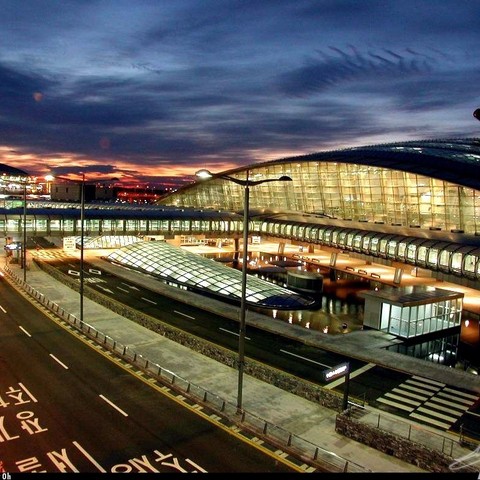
(372, 189)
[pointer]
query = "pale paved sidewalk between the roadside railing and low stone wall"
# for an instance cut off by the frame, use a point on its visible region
(308, 420)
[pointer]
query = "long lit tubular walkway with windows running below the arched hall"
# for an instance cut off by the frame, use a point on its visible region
(458, 259)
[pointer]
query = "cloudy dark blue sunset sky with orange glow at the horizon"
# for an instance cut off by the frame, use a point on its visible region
(150, 91)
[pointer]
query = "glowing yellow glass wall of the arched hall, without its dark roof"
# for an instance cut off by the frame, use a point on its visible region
(346, 191)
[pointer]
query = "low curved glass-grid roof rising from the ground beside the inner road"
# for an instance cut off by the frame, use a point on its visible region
(202, 275)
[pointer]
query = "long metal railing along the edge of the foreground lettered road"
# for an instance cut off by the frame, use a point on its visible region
(281, 438)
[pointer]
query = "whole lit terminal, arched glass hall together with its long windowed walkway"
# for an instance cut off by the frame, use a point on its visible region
(413, 203)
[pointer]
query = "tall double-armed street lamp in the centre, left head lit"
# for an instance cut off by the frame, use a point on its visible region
(246, 184)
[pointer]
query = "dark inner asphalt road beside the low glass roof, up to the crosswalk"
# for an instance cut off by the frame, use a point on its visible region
(296, 358)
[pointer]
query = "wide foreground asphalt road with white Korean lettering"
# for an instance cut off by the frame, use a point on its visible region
(68, 407)
